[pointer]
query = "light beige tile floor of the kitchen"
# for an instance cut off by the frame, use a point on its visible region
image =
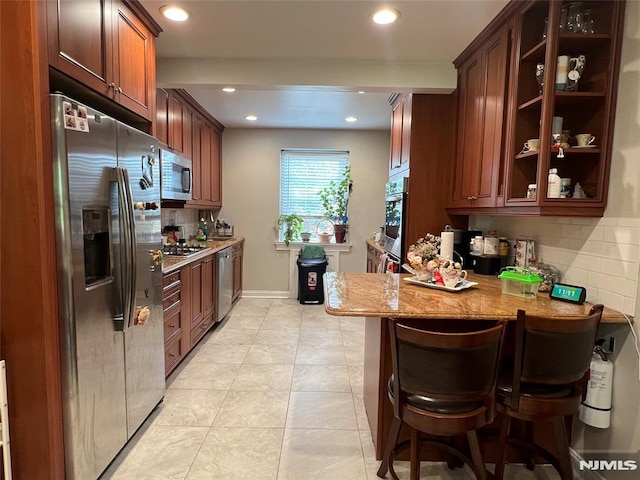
(273, 392)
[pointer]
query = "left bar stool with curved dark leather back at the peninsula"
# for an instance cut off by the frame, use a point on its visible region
(443, 384)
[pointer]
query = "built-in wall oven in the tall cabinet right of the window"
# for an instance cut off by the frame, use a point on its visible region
(395, 217)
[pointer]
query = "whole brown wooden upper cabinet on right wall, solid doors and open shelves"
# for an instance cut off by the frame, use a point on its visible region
(498, 114)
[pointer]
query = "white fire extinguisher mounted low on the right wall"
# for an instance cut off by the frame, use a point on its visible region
(596, 407)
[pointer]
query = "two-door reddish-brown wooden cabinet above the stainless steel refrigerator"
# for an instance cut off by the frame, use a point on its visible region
(108, 46)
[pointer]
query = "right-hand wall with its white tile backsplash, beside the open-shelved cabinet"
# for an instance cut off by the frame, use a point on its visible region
(604, 253)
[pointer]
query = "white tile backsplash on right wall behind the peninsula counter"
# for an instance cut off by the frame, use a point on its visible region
(601, 254)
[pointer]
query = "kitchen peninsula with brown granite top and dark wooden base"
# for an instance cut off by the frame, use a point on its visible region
(380, 296)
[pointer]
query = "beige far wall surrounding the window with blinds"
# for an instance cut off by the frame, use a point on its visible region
(251, 186)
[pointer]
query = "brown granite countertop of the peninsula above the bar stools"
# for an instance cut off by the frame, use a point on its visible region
(388, 295)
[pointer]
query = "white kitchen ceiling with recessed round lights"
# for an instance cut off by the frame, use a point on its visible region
(300, 63)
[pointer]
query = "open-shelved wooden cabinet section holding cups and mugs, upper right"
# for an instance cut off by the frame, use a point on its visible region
(561, 114)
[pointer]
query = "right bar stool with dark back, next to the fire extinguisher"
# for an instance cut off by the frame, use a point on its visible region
(552, 356)
